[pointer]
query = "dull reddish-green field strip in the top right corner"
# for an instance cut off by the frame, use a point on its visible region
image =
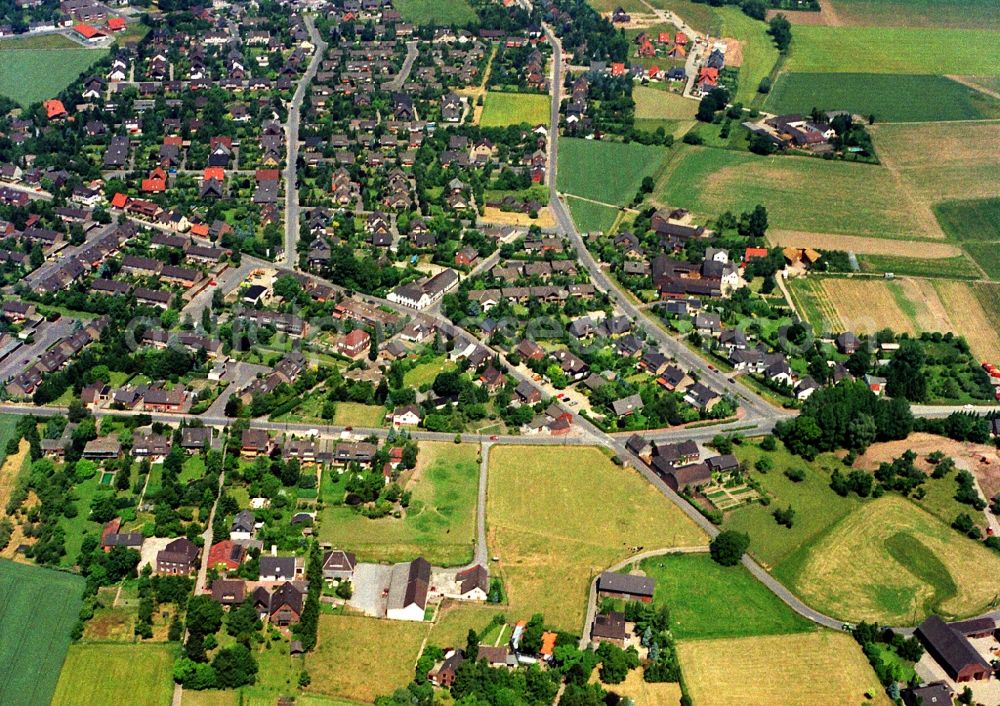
(976, 14)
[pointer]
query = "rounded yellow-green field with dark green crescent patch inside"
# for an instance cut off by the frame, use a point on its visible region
(892, 562)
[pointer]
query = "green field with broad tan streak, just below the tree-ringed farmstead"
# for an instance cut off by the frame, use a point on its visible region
(856, 199)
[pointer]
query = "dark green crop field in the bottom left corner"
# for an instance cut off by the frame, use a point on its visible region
(34, 634)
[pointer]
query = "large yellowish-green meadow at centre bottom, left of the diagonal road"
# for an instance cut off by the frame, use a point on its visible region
(583, 514)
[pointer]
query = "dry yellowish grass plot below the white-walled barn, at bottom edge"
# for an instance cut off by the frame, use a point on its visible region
(361, 658)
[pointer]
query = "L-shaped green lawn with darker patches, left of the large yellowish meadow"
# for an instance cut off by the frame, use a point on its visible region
(439, 523)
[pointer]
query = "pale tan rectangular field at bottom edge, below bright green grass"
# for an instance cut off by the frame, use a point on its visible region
(794, 670)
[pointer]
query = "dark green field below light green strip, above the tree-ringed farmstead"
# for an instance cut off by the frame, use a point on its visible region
(889, 97)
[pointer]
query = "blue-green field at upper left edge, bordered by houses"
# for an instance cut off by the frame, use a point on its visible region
(31, 72)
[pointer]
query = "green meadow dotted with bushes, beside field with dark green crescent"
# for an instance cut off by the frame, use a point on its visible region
(817, 507)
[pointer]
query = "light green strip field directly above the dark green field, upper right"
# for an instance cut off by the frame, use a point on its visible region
(893, 50)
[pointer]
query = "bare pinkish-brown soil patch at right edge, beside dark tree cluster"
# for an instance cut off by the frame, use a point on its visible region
(967, 455)
